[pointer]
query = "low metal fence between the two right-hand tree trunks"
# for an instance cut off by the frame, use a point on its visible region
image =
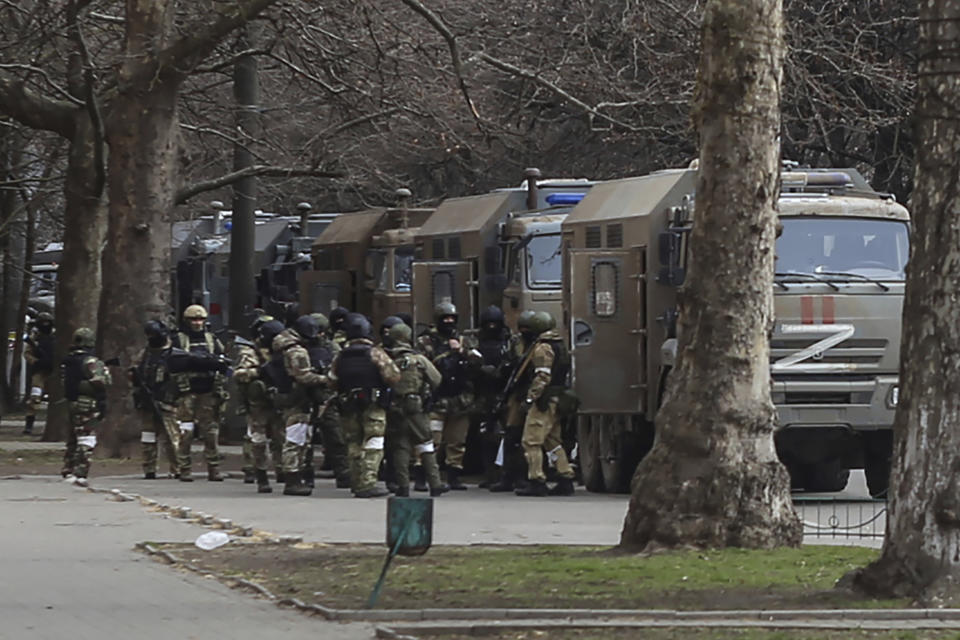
(835, 518)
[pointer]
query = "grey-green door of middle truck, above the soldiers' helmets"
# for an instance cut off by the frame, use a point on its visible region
(436, 282)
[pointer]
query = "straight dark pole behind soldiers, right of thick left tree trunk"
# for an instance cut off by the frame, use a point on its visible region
(246, 91)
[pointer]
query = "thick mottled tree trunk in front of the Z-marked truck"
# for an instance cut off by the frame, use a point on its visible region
(713, 478)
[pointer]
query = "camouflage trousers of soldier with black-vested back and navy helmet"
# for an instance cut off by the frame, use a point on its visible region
(364, 427)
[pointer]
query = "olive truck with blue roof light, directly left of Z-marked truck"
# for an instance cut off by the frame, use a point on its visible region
(500, 248)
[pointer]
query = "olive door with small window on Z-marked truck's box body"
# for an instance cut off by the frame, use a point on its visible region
(608, 329)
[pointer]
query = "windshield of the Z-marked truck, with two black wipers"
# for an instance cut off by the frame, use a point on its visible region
(839, 246)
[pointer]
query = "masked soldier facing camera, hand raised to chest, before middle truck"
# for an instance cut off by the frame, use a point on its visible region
(454, 399)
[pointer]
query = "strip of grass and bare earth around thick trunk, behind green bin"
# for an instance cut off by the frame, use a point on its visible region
(549, 576)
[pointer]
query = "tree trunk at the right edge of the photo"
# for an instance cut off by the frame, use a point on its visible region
(919, 557)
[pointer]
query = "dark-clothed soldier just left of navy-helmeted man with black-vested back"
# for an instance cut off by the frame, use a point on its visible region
(322, 351)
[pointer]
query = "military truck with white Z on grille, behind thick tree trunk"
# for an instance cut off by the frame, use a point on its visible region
(834, 351)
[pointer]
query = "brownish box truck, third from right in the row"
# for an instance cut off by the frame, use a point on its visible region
(363, 261)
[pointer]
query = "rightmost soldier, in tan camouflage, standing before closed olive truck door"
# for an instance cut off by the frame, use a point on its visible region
(541, 430)
